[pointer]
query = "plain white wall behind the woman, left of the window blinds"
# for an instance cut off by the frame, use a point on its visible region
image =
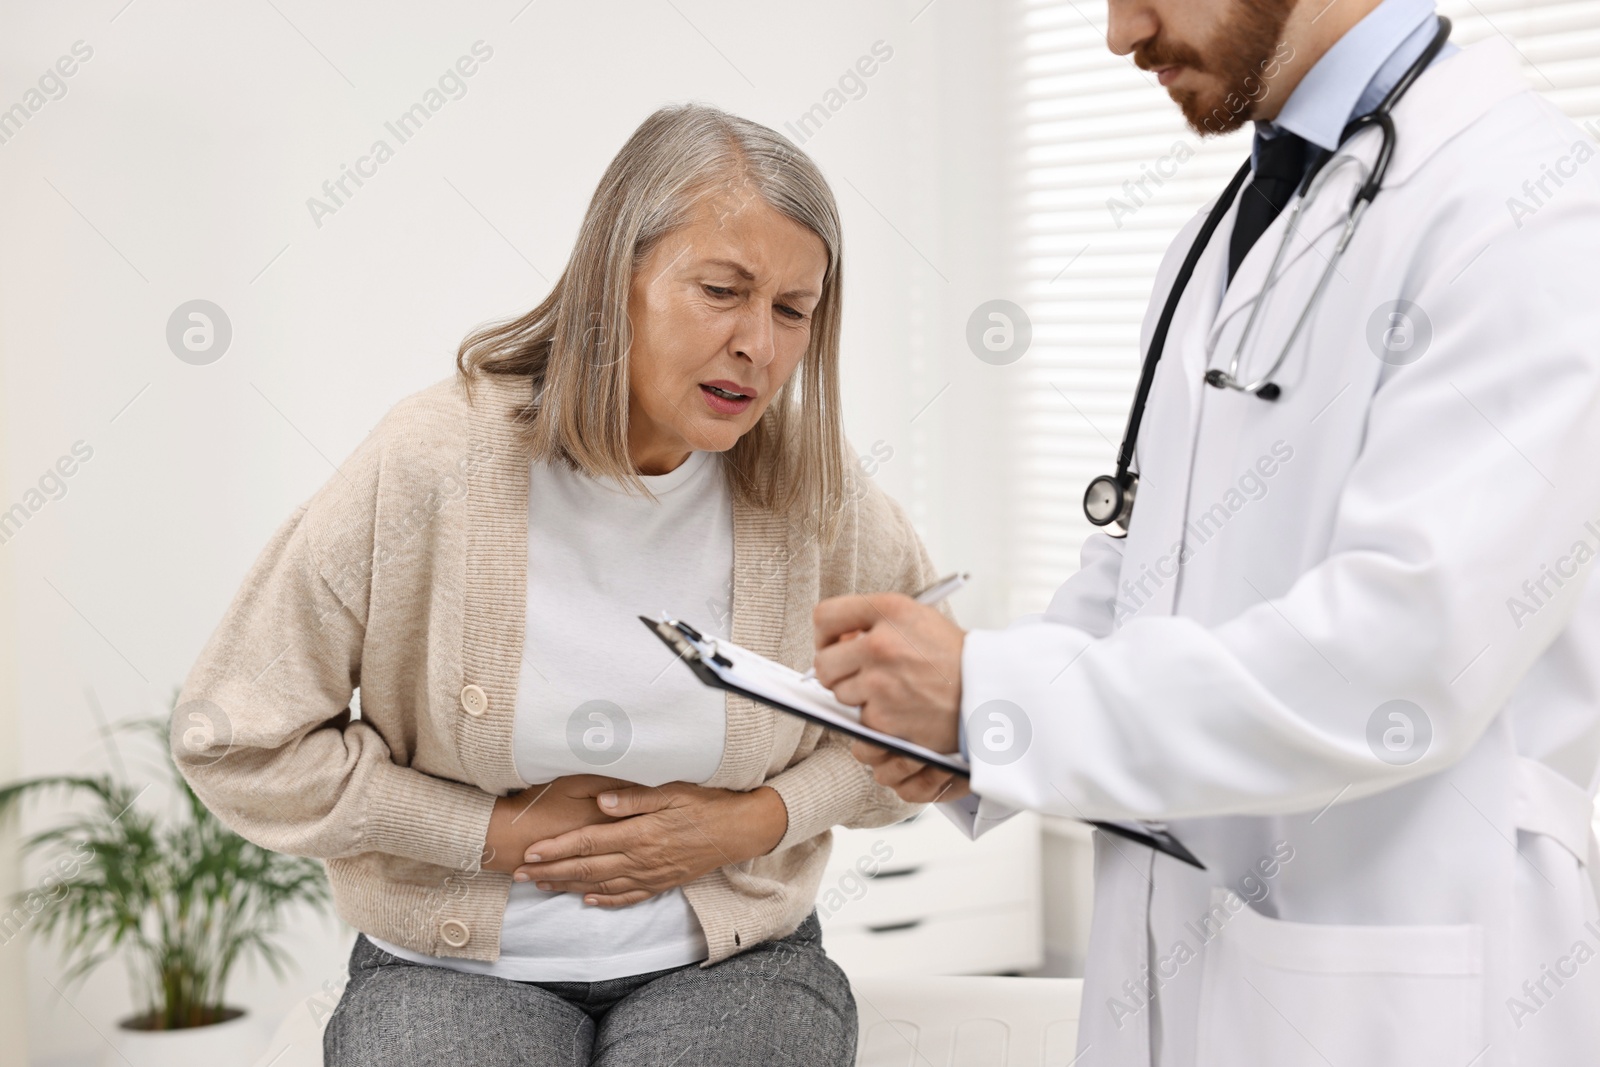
(178, 166)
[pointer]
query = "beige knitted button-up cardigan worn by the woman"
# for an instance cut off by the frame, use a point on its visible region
(406, 577)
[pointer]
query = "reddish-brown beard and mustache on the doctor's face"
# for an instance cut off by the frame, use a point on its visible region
(1242, 58)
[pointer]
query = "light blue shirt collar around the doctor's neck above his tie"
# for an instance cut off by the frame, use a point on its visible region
(1356, 74)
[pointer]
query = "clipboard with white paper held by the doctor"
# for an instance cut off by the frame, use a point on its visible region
(727, 666)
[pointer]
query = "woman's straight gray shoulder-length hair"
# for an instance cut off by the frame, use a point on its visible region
(575, 345)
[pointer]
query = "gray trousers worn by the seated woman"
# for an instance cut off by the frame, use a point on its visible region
(782, 1004)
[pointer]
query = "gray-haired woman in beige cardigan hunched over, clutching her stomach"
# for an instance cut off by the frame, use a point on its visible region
(556, 844)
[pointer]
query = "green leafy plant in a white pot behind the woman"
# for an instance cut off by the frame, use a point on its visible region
(182, 901)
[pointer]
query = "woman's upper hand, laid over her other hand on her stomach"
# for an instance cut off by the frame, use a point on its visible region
(662, 839)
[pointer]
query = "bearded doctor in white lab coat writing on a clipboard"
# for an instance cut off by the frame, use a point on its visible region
(1350, 647)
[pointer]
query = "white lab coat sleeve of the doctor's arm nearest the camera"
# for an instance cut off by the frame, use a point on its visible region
(1476, 474)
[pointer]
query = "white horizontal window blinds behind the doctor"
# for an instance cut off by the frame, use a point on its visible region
(1105, 174)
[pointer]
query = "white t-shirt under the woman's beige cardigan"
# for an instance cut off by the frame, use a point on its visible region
(602, 695)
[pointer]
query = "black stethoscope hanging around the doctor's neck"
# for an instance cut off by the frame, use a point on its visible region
(1110, 498)
